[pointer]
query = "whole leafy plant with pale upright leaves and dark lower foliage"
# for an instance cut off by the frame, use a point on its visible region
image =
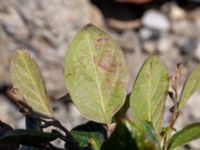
(96, 78)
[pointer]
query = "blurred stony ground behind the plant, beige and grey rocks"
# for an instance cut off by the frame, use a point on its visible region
(170, 28)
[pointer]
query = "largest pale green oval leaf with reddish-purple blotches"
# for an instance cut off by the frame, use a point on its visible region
(96, 74)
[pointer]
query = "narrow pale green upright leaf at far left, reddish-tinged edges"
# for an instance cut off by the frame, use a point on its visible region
(29, 83)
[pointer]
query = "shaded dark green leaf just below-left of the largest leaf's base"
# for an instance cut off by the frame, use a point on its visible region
(89, 134)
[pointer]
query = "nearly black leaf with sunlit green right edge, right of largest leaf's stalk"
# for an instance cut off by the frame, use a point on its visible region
(126, 136)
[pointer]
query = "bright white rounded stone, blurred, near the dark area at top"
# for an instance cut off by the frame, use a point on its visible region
(155, 20)
